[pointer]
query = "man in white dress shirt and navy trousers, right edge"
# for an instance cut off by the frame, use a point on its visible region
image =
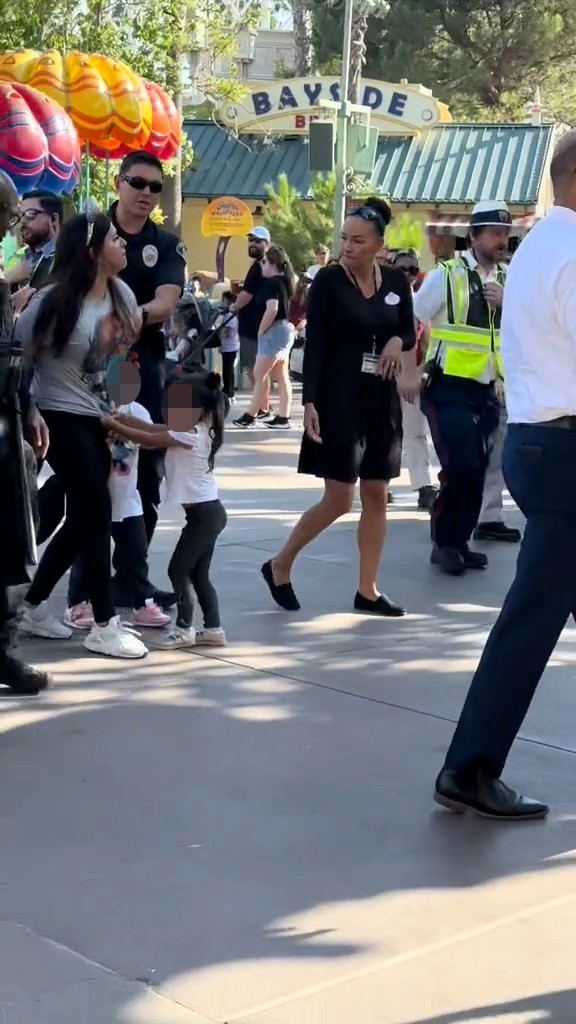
(540, 351)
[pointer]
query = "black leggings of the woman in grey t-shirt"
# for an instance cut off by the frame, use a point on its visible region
(80, 458)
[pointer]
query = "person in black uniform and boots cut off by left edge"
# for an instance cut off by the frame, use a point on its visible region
(16, 522)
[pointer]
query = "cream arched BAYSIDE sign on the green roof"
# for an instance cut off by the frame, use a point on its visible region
(289, 107)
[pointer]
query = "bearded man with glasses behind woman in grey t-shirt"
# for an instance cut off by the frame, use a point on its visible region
(42, 219)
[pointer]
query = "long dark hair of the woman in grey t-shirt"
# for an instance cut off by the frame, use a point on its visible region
(74, 274)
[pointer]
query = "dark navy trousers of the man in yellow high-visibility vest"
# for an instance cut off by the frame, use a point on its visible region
(464, 417)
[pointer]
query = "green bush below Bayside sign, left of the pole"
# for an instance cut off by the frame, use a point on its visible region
(301, 227)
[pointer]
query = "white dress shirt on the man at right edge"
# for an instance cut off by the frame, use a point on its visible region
(539, 333)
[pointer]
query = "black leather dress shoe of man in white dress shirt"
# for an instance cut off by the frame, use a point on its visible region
(489, 798)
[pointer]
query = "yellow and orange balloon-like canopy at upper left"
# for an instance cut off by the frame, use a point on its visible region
(113, 110)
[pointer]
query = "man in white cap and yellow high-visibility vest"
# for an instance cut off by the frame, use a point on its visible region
(462, 301)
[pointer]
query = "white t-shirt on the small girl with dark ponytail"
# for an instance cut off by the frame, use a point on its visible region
(189, 480)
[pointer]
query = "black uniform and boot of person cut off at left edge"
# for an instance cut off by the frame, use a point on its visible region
(17, 528)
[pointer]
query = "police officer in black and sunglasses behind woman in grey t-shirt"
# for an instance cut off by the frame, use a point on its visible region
(155, 272)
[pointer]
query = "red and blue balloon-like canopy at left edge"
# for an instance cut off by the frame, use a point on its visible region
(39, 146)
